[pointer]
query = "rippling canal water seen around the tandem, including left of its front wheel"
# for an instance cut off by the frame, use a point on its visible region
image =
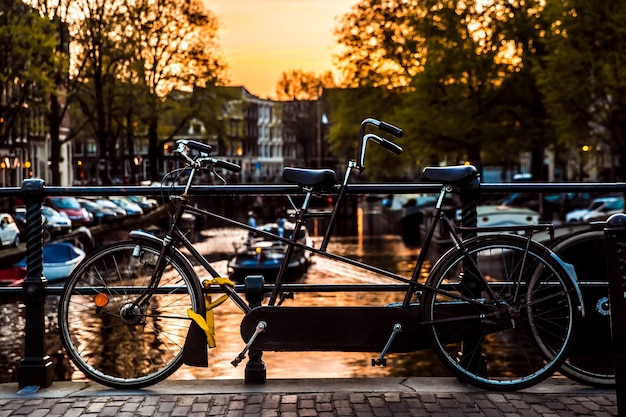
(386, 251)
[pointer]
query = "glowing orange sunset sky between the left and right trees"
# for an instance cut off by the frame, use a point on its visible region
(261, 39)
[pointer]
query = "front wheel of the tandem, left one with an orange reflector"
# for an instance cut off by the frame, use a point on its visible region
(114, 346)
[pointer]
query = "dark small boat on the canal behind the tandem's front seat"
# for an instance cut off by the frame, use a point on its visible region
(261, 255)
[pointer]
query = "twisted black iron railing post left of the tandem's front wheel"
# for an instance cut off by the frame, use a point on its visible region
(35, 367)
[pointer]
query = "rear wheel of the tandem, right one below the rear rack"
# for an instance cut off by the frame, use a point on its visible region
(498, 343)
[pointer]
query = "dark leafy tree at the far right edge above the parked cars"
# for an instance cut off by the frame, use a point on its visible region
(583, 77)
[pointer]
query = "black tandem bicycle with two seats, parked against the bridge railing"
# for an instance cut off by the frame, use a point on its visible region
(133, 311)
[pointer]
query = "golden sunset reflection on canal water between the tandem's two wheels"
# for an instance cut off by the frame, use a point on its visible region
(386, 252)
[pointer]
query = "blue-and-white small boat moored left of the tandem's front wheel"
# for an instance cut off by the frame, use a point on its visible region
(59, 260)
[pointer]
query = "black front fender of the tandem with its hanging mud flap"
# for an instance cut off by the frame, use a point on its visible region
(195, 352)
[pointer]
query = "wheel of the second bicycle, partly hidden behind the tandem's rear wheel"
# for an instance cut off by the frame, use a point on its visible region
(591, 359)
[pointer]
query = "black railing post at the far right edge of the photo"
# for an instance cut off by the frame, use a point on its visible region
(615, 235)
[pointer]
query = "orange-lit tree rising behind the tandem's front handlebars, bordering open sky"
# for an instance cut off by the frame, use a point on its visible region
(177, 49)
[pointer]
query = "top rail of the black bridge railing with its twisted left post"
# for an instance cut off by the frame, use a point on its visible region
(35, 368)
